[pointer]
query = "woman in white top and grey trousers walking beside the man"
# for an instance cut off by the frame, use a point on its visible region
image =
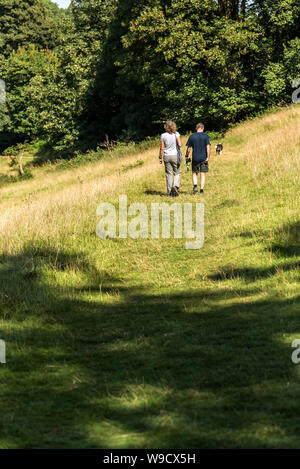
(170, 141)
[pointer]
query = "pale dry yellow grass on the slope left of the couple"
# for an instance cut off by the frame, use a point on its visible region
(49, 204)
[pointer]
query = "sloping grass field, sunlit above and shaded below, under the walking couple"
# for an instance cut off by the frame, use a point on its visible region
(142, 343)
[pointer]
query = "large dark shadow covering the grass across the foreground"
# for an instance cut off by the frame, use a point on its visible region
(135, 369)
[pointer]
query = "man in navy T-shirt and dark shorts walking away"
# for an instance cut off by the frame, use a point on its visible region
(199, 142)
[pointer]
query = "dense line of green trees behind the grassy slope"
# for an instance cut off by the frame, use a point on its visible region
(121, 67)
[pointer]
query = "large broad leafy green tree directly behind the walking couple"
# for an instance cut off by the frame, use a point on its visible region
(179, 59)
